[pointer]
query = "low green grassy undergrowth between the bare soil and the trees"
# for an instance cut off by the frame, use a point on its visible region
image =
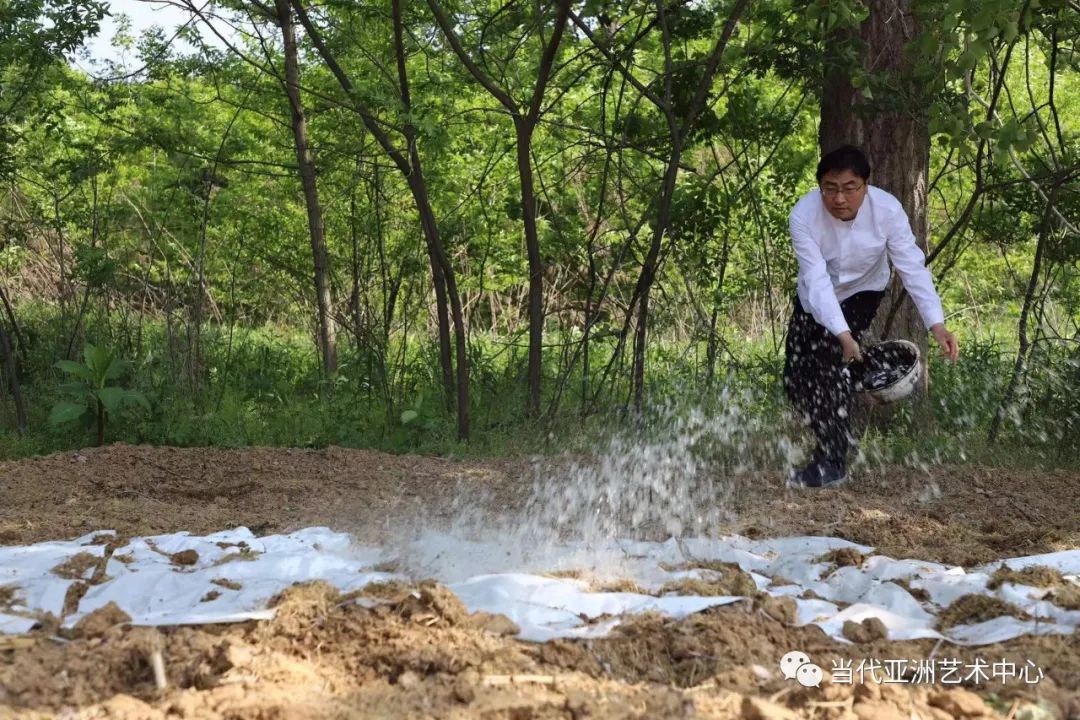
(263, 387)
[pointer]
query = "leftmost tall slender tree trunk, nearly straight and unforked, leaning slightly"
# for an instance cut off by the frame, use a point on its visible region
(328, 342)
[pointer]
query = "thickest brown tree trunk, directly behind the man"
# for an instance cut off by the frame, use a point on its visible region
(897, 142)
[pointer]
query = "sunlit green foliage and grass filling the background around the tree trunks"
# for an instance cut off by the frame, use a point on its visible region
(161, 215)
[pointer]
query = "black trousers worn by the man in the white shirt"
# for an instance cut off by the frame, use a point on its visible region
(814, 373)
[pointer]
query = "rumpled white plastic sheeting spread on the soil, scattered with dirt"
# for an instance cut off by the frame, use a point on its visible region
(145, 581)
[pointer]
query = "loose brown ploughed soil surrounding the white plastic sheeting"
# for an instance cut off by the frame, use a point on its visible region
(413, 651)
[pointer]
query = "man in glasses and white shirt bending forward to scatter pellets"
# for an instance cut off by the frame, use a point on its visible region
(845, 234)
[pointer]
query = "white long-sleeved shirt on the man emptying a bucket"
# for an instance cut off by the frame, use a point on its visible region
(839, 259)
